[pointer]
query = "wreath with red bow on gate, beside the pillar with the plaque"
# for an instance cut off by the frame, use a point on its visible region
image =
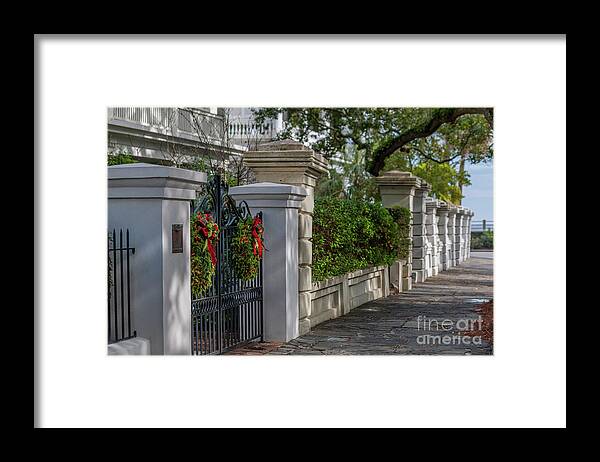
(205, 235)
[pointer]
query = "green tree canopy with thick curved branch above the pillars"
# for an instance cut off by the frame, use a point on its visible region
(434, 143)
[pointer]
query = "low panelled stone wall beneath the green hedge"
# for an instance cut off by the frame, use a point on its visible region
(339, 295)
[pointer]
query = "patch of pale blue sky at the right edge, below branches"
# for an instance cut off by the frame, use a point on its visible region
(479, 197)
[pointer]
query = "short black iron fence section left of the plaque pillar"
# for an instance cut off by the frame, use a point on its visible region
(120, 323)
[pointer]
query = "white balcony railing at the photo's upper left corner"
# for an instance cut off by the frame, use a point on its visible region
(193, 122)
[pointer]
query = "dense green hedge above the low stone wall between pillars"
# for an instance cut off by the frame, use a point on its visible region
(352, 234)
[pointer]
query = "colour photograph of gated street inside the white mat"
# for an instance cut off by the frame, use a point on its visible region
(300, 231)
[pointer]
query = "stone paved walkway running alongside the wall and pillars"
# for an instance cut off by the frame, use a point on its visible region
(392, 325)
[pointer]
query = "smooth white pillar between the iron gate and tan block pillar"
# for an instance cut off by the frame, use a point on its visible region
(279, 204)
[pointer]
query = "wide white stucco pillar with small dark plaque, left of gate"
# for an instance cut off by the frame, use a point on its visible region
(149, 200)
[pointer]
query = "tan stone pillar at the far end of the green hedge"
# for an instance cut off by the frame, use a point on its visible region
(397, 189)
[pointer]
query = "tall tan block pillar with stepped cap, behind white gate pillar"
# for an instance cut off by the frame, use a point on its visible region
(290, 162)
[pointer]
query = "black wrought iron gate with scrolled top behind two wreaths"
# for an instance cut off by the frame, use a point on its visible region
(229, 313)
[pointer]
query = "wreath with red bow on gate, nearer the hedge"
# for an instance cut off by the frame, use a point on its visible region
(248, 246)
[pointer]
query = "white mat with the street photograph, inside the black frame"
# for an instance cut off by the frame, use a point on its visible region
(298, 231)
